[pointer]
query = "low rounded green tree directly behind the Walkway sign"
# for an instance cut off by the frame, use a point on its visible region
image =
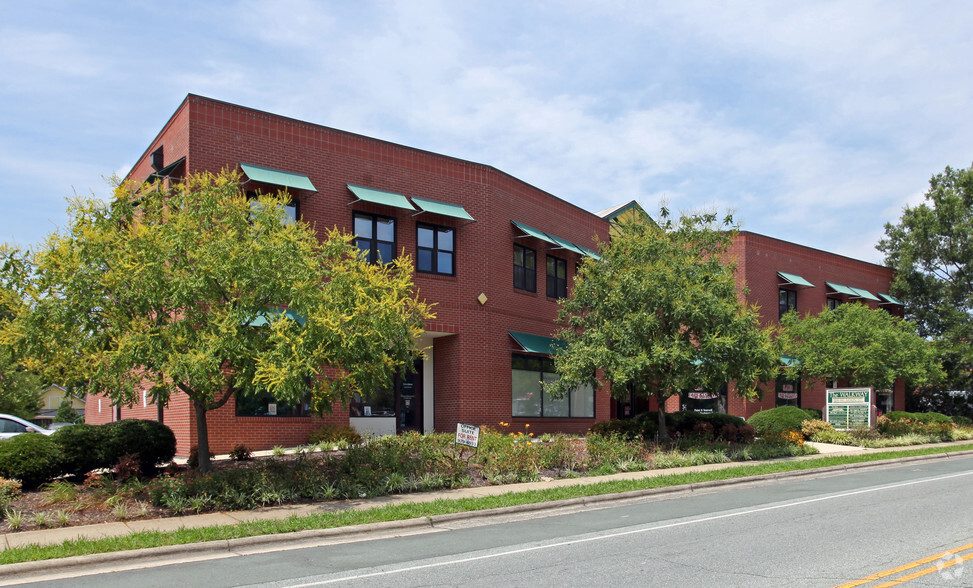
(857, 344)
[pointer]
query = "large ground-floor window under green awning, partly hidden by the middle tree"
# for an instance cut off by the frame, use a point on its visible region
(530, 400)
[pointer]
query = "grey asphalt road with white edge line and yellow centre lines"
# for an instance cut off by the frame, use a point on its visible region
(820, 531)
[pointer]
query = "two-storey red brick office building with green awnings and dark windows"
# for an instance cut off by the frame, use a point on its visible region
(493, 253)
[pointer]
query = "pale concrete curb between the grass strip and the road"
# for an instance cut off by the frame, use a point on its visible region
(229, 547)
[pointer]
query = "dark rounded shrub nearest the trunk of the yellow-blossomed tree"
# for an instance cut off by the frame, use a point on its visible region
(153, 443)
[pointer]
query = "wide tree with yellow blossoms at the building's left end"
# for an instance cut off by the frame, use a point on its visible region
(191, 288)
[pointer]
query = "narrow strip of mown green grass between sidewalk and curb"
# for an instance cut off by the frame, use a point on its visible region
(399, 512)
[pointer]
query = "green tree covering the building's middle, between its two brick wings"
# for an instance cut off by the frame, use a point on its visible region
(660, 313)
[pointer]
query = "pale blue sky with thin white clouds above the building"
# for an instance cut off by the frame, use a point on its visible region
(814, 122)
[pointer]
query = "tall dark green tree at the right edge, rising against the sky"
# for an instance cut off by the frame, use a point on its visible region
(930, 249)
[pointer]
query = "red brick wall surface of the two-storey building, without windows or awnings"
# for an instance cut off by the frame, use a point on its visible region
(471, 351)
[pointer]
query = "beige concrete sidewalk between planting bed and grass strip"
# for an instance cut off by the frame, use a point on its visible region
(118, 529)
